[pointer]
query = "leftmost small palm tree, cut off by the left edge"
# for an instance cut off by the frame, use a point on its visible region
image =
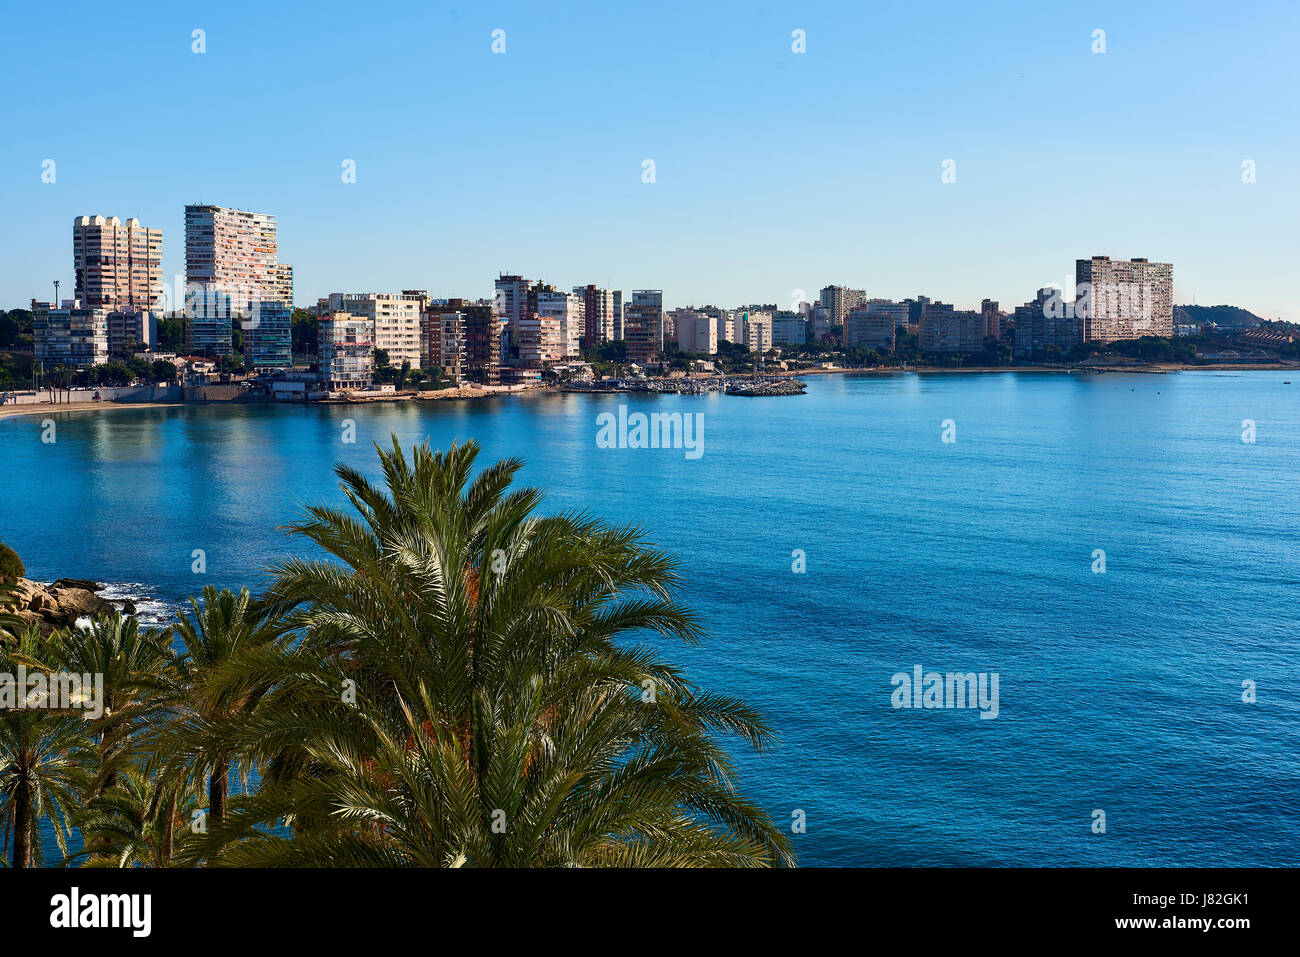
(44, 769)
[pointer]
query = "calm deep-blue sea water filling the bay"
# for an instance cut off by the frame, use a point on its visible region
(1120, 691)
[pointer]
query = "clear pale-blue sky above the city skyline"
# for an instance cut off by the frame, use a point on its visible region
(775, 172)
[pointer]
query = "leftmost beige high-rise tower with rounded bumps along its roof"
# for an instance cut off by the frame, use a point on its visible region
(118, 266)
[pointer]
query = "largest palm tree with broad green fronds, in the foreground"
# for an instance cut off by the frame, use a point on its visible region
(465, 691)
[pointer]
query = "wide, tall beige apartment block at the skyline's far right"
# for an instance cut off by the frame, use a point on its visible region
(1124, 300)
